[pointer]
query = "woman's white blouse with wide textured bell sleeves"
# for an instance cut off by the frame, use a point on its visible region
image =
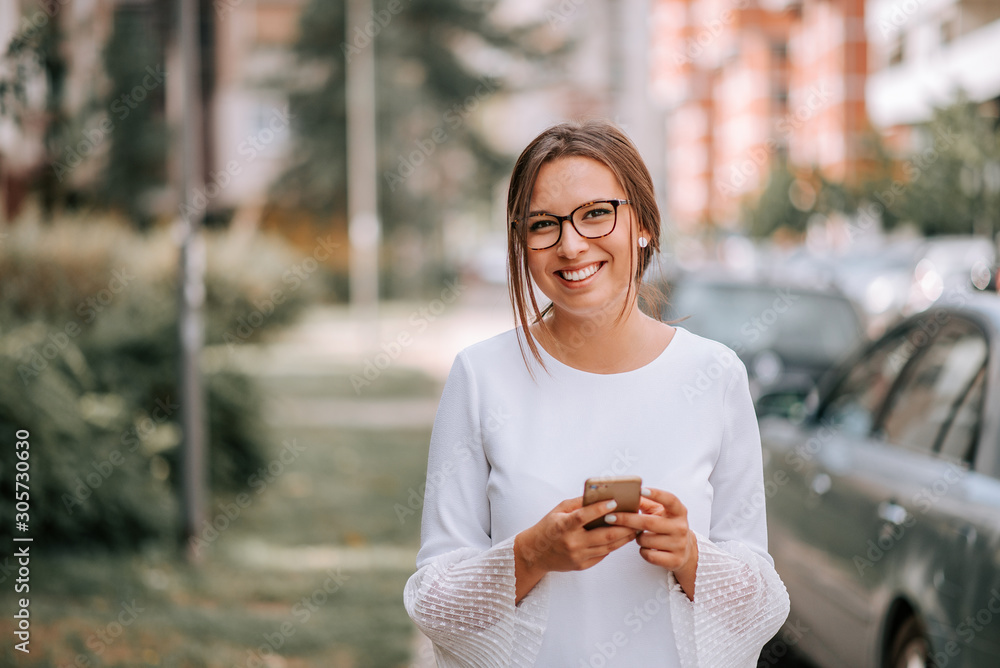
(507, 448)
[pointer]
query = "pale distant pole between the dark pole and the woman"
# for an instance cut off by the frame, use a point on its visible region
(362, 174)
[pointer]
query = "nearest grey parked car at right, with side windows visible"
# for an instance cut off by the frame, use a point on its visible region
(883, 502)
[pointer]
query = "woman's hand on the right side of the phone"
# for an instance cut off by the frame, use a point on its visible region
(666, 540)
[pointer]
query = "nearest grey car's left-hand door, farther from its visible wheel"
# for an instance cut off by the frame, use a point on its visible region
(811, 535)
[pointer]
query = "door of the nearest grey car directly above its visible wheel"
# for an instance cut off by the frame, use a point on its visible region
(895, 499)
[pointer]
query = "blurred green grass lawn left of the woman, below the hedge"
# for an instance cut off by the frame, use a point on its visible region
(268, 592)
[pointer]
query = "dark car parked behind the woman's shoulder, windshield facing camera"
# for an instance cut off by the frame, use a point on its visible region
(787, 336)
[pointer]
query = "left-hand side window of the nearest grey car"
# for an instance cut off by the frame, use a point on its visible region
(855, 403)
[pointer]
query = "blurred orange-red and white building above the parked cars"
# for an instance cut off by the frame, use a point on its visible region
(749, 83)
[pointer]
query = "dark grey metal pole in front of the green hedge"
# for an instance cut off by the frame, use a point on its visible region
(192, 280)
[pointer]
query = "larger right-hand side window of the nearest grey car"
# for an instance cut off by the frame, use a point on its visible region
(934, 386)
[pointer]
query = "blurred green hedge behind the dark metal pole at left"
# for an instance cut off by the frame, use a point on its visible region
(89, 362)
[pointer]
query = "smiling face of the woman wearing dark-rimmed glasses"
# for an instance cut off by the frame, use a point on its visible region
(582, 276)
